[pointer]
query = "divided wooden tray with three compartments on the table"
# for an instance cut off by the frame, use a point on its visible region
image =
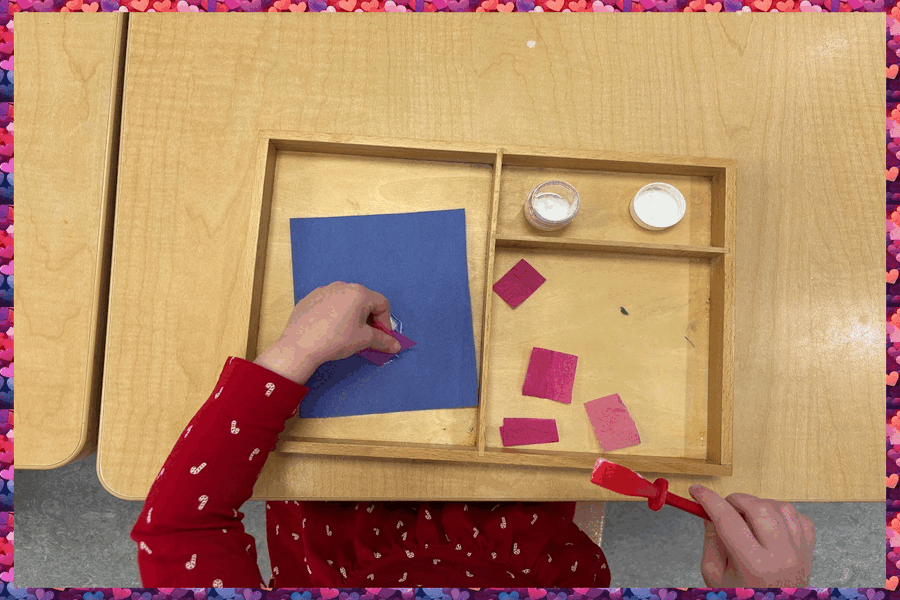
(670, 358)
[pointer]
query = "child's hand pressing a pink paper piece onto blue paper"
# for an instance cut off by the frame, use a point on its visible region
(330, 323)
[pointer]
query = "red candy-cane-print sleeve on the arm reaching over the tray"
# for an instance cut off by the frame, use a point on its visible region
(189, 533)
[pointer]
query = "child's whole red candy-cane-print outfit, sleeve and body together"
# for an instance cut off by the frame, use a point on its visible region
(190, 534)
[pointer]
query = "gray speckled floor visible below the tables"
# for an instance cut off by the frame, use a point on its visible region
(70, 532)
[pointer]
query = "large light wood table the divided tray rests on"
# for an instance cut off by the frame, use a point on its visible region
(797, 101)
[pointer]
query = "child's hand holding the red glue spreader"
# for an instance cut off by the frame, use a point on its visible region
(753, 542)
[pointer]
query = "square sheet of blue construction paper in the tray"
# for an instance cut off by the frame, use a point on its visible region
(418, 262)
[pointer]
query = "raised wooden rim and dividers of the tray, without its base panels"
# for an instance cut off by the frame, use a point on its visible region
(720, 254)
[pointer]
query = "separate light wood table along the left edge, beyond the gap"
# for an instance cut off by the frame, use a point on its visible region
(68, 70)
